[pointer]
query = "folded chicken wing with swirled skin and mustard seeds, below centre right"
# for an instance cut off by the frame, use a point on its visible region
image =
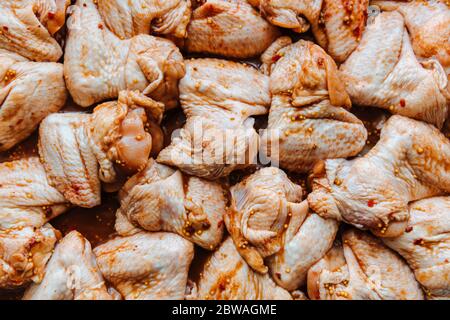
(267, 219)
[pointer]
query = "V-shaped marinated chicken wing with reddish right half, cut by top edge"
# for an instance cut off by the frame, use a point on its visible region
(336, 24)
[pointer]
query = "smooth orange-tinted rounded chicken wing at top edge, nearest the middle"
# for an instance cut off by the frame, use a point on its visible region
(230, 28)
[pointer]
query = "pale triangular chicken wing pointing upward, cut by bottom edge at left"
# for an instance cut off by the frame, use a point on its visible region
(71, 274)
